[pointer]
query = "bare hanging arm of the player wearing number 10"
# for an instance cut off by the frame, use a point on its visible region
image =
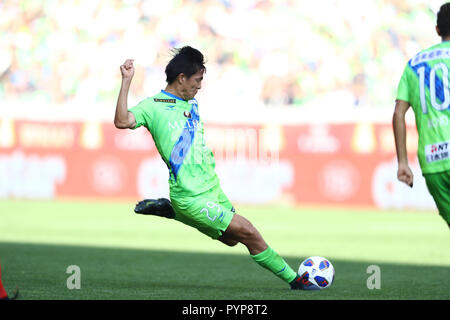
(404, 173)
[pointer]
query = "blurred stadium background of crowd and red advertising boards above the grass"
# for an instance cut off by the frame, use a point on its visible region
(297, 98)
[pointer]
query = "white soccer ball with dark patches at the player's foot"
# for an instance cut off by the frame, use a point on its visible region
(317, 273)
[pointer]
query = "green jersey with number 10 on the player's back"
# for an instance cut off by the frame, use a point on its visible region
(425, 85)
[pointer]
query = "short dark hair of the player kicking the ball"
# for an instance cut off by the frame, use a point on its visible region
(185, 60)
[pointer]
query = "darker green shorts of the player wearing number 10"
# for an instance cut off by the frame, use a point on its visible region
(439, 185)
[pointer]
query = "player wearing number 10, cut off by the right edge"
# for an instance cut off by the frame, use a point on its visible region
(424, 85)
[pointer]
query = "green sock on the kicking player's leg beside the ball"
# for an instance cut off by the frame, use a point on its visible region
(272, 261)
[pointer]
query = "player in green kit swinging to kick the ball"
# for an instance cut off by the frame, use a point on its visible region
(196, 198)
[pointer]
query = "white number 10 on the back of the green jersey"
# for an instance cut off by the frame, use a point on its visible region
(432, 76)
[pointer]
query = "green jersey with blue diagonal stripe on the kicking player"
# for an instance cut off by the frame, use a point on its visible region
(178, 133)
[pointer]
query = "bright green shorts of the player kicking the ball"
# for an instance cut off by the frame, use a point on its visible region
(209, 212)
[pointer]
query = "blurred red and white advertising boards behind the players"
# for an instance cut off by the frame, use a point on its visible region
(331, 164)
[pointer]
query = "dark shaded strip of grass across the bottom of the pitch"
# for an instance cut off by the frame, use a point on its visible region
(117, 273)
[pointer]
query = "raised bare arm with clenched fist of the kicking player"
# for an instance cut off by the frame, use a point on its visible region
(123, 118)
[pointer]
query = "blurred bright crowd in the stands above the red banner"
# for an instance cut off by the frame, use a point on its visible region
(273, 52)
